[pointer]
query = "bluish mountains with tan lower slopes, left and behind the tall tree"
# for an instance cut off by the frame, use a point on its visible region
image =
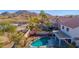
(20, 14)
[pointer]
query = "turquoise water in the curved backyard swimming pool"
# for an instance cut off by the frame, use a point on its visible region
(40, 42)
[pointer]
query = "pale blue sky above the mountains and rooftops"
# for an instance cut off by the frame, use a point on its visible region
(52, 12)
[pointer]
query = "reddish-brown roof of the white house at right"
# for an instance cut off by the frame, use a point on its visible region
(71, 22)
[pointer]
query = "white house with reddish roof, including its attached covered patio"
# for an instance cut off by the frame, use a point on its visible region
(69, 31)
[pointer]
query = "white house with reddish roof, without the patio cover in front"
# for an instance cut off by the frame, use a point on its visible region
(71, 28)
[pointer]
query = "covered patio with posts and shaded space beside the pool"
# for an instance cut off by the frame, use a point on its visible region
(62, 38)
